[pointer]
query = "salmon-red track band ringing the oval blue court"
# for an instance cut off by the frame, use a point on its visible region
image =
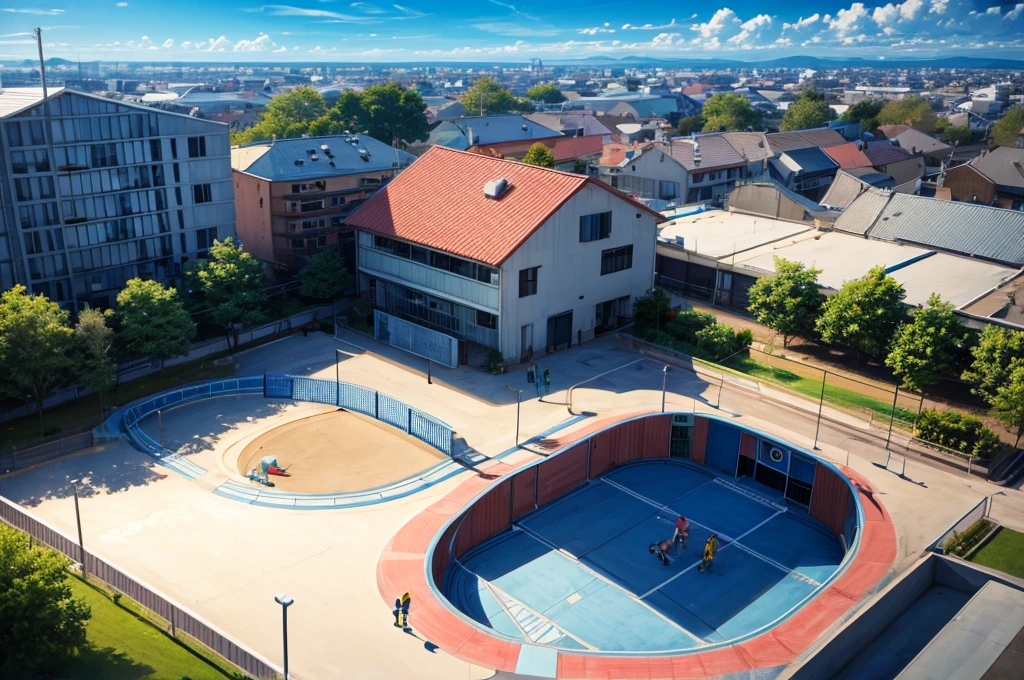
(402, 569)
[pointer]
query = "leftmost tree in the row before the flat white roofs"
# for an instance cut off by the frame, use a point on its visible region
(788, 303)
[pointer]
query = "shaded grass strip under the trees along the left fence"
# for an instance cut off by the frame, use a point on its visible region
(83, 414)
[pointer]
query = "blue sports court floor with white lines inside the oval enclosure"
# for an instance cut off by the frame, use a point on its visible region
(578, 574)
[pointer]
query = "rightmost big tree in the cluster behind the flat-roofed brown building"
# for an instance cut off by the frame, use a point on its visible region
(390, 114)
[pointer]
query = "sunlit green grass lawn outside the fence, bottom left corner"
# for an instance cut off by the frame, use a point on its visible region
(123, 647)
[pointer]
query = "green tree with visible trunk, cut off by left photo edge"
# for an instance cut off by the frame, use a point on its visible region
(36, 348)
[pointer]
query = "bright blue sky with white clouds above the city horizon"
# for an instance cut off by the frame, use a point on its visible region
(493, 31)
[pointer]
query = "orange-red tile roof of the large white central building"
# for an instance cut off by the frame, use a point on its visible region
(439, 202)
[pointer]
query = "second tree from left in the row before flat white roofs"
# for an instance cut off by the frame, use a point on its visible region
(865, 314)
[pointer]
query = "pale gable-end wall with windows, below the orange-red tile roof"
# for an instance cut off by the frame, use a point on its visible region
(570, 276)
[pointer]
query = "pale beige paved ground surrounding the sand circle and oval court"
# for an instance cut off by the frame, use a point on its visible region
(227, 561)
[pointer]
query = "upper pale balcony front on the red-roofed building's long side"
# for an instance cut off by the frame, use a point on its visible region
(414, 275)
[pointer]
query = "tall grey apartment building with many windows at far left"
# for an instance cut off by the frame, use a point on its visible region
(96, 192)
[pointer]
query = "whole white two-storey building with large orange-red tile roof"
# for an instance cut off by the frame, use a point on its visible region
(511, 257)
